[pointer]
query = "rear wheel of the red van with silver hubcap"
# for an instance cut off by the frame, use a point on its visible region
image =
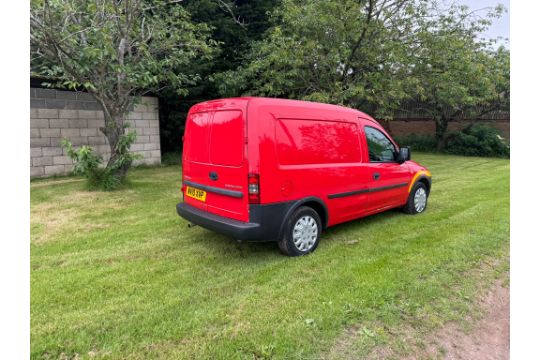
(302, 232)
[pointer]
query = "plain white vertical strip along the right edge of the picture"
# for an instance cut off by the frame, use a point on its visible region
(525, 165)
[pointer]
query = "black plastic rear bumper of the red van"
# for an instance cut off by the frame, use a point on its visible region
(265, 221)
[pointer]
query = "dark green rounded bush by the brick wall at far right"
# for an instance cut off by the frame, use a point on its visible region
(477, 140)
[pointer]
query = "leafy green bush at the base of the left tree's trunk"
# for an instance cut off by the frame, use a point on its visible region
(89, 164)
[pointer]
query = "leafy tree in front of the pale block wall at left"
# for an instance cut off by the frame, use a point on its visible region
(117, 50)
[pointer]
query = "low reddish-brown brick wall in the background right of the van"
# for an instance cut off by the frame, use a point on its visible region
(426, 127)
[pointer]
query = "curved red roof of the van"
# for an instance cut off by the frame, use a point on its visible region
(278, 101)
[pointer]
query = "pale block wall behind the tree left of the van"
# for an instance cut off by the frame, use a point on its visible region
(76, 116)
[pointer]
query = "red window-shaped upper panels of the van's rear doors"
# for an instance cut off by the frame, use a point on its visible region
(215, 138)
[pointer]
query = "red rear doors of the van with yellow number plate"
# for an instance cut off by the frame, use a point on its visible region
(215, 168)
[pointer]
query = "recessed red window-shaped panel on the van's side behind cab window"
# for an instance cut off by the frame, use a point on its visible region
(316, 142)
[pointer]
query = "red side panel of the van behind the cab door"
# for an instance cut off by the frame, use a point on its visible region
(288, 137)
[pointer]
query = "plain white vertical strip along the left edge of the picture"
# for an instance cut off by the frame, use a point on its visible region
(15, 174)
